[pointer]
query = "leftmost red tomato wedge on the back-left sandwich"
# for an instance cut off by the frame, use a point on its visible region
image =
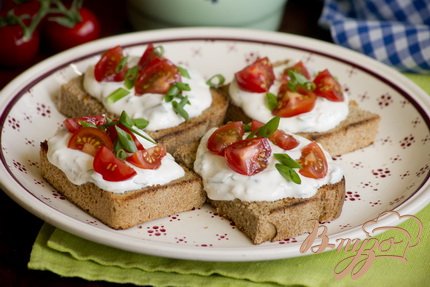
(108, 68)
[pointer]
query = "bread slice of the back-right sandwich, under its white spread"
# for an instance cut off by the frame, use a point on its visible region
(357, 131)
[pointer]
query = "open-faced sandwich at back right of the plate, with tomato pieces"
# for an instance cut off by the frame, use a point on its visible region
(312, 105)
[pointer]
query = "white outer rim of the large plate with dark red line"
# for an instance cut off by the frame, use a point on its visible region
(13, 92)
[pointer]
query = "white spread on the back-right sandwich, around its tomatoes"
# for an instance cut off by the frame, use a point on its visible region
(323, 117)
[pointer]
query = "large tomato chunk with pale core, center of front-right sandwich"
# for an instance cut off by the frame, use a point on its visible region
(248, 156)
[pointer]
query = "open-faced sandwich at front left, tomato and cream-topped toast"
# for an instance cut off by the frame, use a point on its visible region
(113, 170)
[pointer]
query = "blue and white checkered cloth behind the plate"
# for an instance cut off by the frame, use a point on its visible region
(395, 32)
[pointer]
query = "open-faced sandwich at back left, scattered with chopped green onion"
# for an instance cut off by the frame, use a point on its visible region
(179, 103)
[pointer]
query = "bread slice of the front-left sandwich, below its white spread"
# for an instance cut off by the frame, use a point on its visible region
(121, 211)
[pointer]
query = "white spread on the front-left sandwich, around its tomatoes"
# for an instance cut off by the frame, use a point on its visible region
(78, 167)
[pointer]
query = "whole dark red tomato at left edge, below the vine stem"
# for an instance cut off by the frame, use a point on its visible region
(15, 50)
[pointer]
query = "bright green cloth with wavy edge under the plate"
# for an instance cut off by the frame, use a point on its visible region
(68, 255)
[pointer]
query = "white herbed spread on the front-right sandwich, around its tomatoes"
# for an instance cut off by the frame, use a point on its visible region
(222, 183)
